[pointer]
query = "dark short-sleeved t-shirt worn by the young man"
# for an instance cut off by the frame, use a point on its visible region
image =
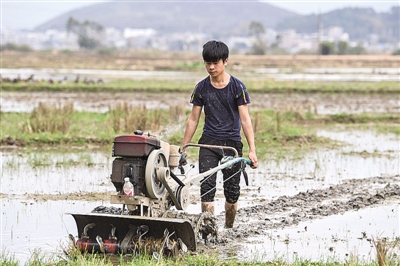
(222, 119)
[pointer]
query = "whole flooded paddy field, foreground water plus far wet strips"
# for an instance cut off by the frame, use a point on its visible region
(328, 203)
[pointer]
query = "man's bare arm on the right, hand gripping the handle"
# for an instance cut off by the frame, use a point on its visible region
(249, 133)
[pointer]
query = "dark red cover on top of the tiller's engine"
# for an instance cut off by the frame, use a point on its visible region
(134, 145)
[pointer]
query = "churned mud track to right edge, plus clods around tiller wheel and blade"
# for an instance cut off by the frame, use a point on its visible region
(286, 211)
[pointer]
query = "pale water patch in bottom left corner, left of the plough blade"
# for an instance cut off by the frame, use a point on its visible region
(29, 225)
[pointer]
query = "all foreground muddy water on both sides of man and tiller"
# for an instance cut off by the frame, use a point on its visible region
(27, 214)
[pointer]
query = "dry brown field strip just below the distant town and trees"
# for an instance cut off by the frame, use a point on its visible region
(157, 60)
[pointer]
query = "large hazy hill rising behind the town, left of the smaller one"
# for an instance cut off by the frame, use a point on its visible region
(220, 18)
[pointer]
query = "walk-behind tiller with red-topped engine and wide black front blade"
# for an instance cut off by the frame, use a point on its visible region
(142, 224)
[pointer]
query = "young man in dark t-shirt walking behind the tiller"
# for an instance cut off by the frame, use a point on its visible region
(225, 101)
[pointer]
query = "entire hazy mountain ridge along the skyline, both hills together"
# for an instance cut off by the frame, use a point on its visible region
(229, 18)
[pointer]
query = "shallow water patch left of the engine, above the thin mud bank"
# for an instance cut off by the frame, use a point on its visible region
(81, 172)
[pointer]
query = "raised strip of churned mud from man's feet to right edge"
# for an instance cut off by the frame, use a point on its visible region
(353, 194)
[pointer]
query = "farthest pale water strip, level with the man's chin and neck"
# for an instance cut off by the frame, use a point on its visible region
(288, 74)
